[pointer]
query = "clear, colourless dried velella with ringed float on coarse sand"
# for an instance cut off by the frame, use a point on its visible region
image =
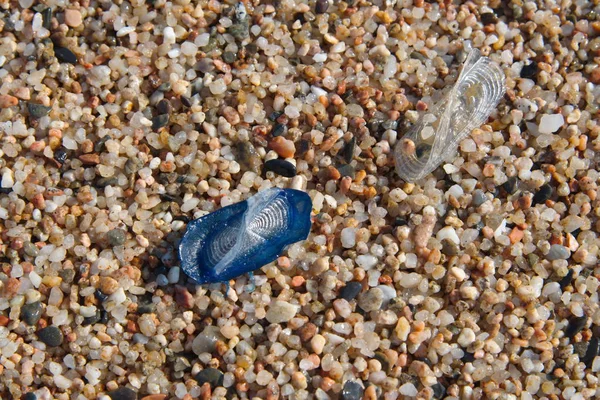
(435, 136)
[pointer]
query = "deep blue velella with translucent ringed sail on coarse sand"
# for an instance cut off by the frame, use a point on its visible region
(245, 236)
